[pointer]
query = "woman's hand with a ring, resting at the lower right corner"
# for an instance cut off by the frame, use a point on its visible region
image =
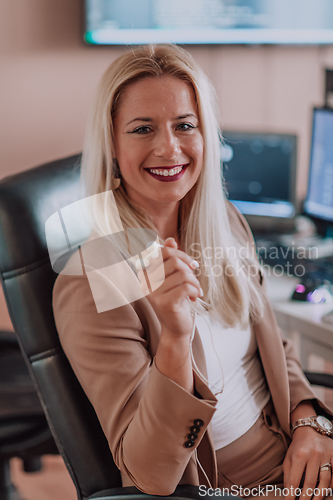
(307, 452)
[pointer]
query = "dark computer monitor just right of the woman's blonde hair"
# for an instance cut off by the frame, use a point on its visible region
(259, 172)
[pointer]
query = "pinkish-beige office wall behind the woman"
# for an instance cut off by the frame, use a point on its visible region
(48, 77)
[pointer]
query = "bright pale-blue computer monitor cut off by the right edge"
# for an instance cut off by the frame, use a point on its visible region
(319, 200)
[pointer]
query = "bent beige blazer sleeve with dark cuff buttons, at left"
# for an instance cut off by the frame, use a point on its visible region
(145, 416)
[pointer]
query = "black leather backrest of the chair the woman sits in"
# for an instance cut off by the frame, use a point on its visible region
(27, 200)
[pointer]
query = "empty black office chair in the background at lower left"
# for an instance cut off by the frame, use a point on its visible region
(24, 431)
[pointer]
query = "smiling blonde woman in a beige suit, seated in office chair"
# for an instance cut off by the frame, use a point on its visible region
(153, 139)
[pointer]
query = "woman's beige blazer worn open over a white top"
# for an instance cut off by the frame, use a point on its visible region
(145, 416)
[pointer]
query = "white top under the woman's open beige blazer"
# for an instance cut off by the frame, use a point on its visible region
(233, 366)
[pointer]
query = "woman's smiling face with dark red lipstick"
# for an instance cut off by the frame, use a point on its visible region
(158, 141)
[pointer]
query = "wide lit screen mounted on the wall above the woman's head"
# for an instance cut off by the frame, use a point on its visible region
(117, 22)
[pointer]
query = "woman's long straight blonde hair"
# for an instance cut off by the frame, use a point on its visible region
(203, 220)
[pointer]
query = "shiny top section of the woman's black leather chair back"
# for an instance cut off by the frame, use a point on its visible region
(27, 200)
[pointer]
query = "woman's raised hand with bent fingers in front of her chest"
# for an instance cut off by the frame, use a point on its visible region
(170, 300)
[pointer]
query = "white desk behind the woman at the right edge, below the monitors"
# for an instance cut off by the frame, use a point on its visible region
(301, 321)
